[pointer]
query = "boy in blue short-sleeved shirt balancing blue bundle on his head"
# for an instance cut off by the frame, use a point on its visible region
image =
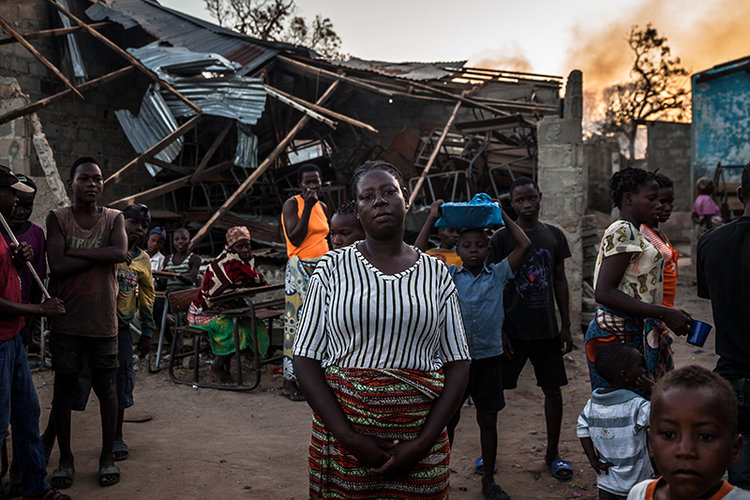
(480, 291)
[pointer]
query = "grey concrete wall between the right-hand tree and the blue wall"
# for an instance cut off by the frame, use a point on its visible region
(669, 152)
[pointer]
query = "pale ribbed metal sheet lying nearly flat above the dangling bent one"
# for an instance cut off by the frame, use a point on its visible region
(236, 97)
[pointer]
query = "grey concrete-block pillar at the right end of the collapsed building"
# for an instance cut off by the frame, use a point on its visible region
(562, 179)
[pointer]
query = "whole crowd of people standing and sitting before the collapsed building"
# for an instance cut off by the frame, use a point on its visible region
(386, 341)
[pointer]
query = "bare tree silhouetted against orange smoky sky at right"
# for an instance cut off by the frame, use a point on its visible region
(657, 89)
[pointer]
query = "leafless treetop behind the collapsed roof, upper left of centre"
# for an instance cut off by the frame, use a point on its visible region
(275, 20)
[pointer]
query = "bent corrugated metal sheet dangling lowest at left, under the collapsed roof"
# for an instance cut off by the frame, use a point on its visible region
(154, 122)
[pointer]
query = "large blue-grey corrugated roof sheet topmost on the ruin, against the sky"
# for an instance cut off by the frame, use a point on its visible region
(182, 30)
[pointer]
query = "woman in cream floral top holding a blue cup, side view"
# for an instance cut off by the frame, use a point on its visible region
(628, 281)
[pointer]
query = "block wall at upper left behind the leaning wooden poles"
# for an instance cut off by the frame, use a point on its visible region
(73, 127)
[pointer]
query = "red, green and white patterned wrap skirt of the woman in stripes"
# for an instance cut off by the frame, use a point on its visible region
(384, 404)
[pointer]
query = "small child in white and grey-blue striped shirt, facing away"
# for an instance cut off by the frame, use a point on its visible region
(612, 425)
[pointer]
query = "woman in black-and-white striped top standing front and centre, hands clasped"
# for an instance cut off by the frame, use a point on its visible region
(384, 323)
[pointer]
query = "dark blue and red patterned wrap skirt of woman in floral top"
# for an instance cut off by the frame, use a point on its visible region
(650, 337)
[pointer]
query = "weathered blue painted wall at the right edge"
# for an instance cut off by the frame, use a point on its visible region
(721, 122)
